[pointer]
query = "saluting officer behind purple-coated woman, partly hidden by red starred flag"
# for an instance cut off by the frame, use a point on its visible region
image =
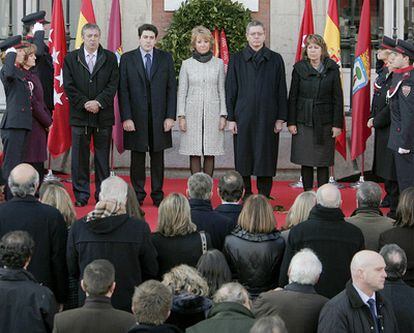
(33, 26)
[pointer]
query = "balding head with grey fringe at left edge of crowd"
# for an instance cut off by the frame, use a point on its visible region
(23, 180)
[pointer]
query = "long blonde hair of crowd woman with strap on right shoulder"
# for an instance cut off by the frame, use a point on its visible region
(174, 216)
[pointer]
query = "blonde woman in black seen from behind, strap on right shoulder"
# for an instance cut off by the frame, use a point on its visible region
(177, 240)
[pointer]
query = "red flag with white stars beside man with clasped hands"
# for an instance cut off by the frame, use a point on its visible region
(59, 139)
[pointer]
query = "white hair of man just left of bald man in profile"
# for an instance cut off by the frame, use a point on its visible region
(305, 267)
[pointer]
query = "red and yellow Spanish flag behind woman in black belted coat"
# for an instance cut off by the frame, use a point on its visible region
(333, 42)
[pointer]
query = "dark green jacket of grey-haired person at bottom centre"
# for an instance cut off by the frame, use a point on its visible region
(225, 317)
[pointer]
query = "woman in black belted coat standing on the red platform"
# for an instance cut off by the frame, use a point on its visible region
(315, 116)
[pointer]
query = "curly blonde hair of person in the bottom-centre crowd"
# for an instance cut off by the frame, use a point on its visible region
(184, 278)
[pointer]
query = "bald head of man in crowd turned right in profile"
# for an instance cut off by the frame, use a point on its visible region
(368, 271)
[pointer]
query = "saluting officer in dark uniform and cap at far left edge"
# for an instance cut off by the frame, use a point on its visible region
(17, 120)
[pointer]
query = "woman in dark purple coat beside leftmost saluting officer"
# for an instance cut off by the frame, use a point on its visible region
(36, 147)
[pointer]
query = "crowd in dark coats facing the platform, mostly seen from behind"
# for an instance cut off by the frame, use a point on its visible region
(203, 269)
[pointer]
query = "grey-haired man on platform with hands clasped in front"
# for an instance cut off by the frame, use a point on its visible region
(90, 78)
